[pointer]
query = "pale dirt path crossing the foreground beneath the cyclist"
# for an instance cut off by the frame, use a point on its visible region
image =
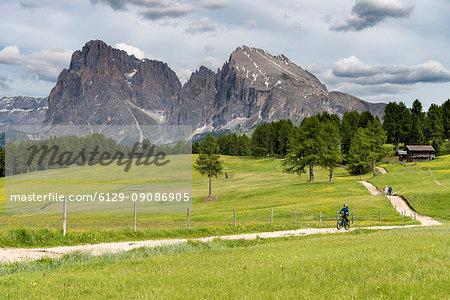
(8, 255)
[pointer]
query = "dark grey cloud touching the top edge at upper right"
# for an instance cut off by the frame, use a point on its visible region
(368, 13)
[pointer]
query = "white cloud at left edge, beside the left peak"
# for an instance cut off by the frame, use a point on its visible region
(44, 65)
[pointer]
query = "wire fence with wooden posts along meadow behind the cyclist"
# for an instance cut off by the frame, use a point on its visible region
(238, 218)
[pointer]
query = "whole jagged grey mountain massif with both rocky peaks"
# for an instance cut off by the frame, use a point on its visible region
(106, 86)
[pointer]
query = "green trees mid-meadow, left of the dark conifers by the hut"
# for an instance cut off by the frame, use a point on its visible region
(320, 140)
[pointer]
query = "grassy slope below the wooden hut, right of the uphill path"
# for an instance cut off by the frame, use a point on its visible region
(425, 185)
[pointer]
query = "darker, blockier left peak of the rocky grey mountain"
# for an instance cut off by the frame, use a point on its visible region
(104, 85)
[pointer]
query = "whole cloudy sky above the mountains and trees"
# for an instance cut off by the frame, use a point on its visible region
(378, 50)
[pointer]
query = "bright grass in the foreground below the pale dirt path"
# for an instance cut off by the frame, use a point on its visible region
(394, 264)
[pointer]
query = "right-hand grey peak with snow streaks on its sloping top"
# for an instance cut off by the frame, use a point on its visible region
(254, 87)
